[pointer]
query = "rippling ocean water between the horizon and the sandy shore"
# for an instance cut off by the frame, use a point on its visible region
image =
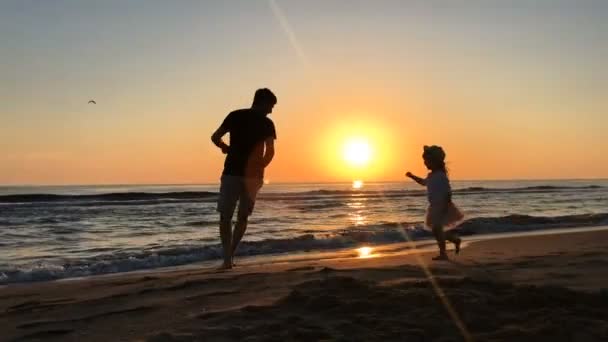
(56, 232)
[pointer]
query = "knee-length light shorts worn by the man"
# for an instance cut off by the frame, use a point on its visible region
(235, 189)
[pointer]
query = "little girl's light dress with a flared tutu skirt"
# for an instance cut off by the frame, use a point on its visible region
(441, 208)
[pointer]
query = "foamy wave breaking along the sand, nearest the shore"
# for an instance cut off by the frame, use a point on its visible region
(382, 233)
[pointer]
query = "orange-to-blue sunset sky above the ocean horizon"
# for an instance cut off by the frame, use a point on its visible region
(511, 89)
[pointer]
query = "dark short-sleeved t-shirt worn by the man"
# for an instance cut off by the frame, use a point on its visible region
(248, 130)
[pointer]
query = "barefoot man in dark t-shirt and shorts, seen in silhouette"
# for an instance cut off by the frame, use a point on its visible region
(250, 150)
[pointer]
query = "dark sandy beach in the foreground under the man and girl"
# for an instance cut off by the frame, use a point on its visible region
(547, 287)
